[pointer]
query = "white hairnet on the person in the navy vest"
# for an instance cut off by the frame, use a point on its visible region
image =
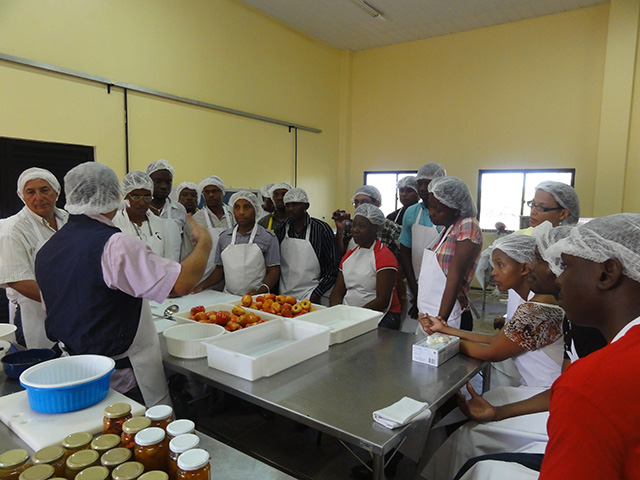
(91, 188)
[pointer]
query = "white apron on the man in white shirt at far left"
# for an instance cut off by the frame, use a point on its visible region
(31, 312)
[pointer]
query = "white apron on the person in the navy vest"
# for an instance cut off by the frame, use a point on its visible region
(146, 359)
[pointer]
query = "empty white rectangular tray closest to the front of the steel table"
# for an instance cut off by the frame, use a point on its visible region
(266, 349)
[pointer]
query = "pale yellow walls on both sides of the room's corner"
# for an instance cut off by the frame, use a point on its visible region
(526, 94)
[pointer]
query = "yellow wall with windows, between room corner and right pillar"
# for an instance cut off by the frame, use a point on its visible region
(522, 95)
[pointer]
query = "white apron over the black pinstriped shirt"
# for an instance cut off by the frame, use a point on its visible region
(299, 267)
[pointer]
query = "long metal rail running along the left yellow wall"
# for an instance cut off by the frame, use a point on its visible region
(155, 93)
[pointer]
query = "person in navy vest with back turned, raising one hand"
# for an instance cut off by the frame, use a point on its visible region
(94, 281)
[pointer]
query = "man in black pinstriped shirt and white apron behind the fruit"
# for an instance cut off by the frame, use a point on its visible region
(308, 252)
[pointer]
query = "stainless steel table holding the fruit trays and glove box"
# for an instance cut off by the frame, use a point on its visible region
(337, 392)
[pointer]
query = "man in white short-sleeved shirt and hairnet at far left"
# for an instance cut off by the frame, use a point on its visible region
(21, 236)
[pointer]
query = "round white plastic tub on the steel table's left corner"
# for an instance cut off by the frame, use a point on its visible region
(185, 341)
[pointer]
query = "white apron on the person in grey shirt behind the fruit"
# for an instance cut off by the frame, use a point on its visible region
(244, 266)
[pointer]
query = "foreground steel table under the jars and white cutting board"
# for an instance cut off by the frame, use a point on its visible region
(226, 462)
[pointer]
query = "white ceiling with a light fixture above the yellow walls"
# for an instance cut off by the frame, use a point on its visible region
(344, 25)
